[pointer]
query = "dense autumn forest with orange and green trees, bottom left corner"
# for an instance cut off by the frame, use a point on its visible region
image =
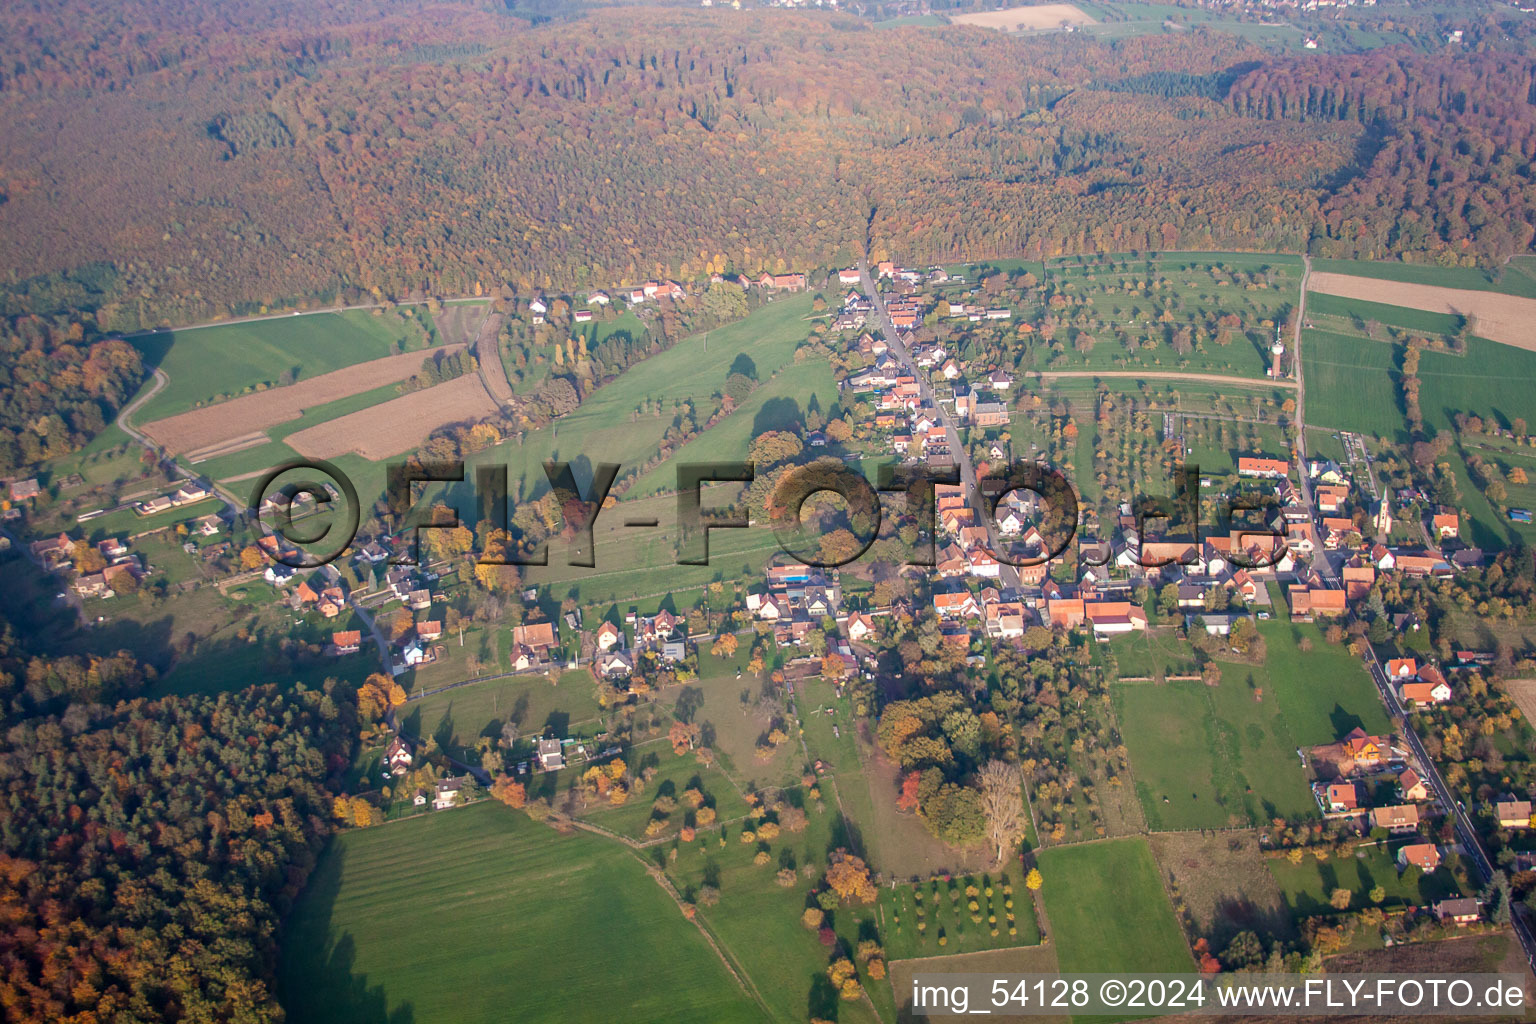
(150, 848)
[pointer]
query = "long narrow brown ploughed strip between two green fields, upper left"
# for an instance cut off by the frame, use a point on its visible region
(213, 426)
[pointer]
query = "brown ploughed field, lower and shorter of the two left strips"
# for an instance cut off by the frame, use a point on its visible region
(399, 424)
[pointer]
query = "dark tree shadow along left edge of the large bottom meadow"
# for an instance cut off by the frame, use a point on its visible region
(317, 983)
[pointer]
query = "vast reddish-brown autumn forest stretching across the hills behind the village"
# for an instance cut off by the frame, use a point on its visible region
(266, 154)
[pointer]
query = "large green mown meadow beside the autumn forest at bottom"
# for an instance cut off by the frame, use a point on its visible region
(480, 916)
